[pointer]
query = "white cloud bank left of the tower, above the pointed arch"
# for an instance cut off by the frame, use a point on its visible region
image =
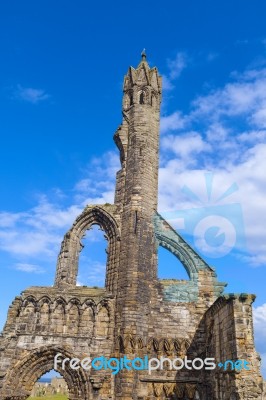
(38, 232)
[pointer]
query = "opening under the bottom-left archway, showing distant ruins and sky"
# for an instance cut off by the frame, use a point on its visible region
(50, 385)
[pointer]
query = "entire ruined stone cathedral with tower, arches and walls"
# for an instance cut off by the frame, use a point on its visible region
(136, 314)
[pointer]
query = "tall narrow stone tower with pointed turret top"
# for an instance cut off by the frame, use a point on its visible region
(136, 196)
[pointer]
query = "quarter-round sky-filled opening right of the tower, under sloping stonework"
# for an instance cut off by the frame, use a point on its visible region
(169, 267)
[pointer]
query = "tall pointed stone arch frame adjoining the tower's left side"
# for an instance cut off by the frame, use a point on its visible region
(67, 265)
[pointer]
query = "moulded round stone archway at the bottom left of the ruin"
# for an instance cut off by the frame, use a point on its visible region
(22, 377)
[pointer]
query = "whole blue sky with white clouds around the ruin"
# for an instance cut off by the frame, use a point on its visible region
(61, 73)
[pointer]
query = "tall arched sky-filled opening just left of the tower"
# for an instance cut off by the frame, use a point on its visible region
(93, 258)
